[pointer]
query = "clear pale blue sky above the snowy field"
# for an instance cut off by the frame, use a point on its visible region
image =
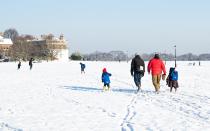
(143, 26)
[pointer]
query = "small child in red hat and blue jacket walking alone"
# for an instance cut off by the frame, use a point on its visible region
(105, 79)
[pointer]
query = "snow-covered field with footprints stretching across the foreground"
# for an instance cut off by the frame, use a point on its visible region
(55, 96)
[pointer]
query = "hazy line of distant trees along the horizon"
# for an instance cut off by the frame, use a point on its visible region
(123, 56)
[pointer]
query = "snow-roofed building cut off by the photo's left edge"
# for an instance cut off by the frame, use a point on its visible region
(5, 44)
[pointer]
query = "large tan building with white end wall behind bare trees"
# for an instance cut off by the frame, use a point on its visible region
(58, 46)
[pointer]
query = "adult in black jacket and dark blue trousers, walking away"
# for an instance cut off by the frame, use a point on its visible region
(137, 70)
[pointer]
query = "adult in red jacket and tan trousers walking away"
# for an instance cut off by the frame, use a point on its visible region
(157, 67)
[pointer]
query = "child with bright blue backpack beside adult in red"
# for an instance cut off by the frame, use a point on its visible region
(172, 79)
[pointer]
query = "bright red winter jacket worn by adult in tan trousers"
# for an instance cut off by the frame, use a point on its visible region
(157, 66)
